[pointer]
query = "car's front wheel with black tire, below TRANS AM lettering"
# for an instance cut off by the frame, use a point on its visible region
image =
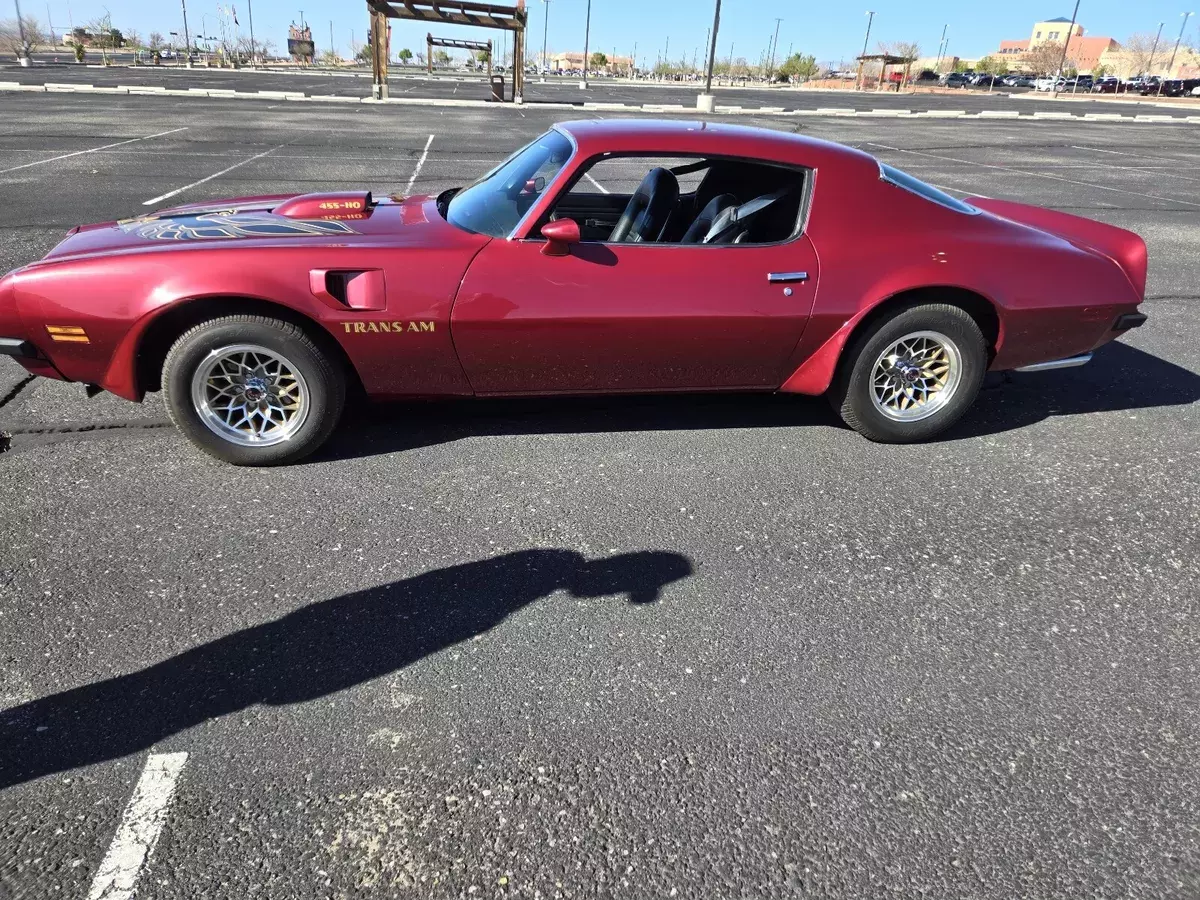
(253, 391)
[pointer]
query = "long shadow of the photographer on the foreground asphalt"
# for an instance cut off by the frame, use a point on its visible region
(322, 649)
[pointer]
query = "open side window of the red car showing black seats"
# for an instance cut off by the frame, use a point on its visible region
(674, 200)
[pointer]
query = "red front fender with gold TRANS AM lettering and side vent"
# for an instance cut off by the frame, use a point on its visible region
(401, 350)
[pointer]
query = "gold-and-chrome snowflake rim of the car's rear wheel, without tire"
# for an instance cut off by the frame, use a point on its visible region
(916, 376)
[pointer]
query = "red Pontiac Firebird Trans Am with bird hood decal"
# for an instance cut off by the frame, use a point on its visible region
(604, 257)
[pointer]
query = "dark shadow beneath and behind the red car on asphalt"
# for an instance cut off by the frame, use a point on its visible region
(1120, 377)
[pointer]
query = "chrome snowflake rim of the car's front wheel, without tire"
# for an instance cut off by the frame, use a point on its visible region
(250, 397)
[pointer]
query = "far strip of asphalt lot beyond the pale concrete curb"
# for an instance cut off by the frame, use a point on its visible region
(357, 83)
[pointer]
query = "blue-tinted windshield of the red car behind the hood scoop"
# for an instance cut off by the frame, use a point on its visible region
(499, 201)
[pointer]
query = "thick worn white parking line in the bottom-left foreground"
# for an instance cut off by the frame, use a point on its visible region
(140, 830)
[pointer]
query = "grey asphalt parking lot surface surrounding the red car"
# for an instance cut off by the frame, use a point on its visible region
(682, 647)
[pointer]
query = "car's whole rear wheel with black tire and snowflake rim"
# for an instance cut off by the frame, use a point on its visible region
(911, 376)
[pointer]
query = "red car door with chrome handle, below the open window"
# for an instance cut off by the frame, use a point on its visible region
(633, 317)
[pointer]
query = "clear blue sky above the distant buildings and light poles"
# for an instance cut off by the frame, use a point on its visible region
(831, 32)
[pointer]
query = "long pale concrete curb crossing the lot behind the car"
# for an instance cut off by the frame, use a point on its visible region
(675, 109)
